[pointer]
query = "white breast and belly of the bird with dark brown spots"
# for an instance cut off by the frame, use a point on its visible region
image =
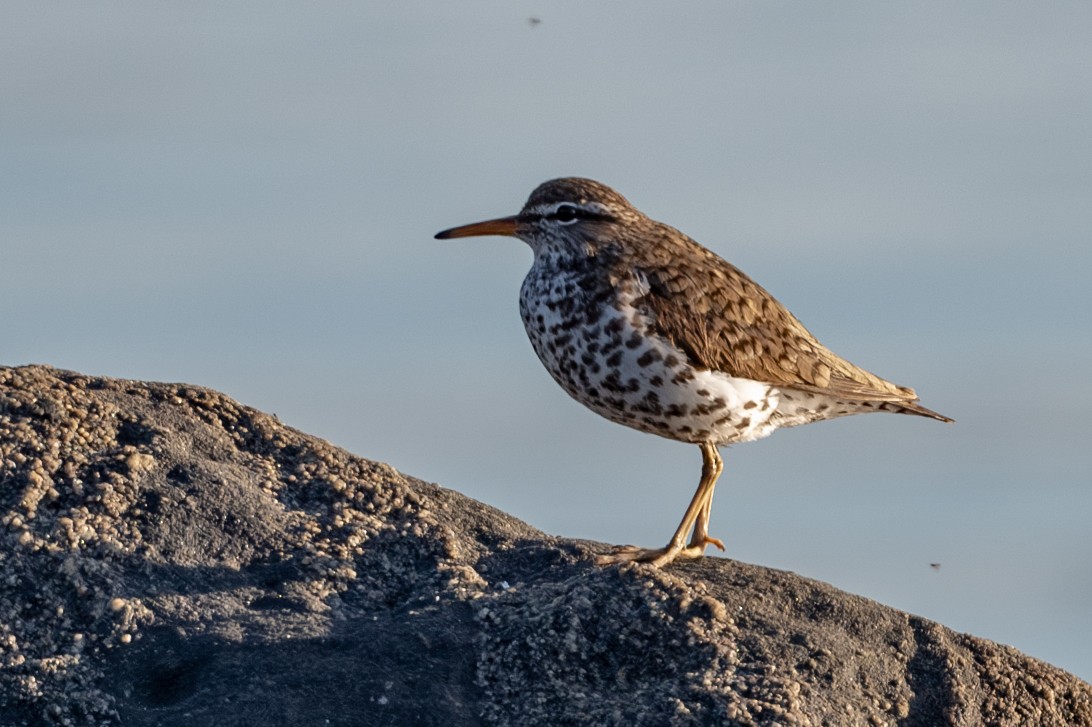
(588, 327)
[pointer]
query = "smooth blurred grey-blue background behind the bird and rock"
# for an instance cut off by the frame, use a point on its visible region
(244, 196)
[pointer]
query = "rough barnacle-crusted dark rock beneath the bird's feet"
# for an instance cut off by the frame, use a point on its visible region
(169, 557)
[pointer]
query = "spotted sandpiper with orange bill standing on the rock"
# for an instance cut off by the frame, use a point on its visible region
(651, 330)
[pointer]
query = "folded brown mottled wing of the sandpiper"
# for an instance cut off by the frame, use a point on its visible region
(726, 321)
